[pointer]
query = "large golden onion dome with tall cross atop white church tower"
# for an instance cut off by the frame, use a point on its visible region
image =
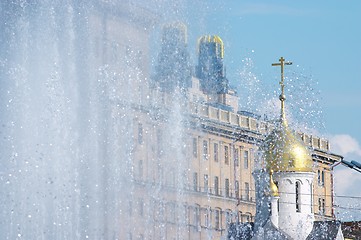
(284, 150)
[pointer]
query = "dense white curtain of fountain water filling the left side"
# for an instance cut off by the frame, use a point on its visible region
(76, 114)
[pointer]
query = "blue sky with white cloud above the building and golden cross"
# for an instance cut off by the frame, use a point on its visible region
(322, 39)
